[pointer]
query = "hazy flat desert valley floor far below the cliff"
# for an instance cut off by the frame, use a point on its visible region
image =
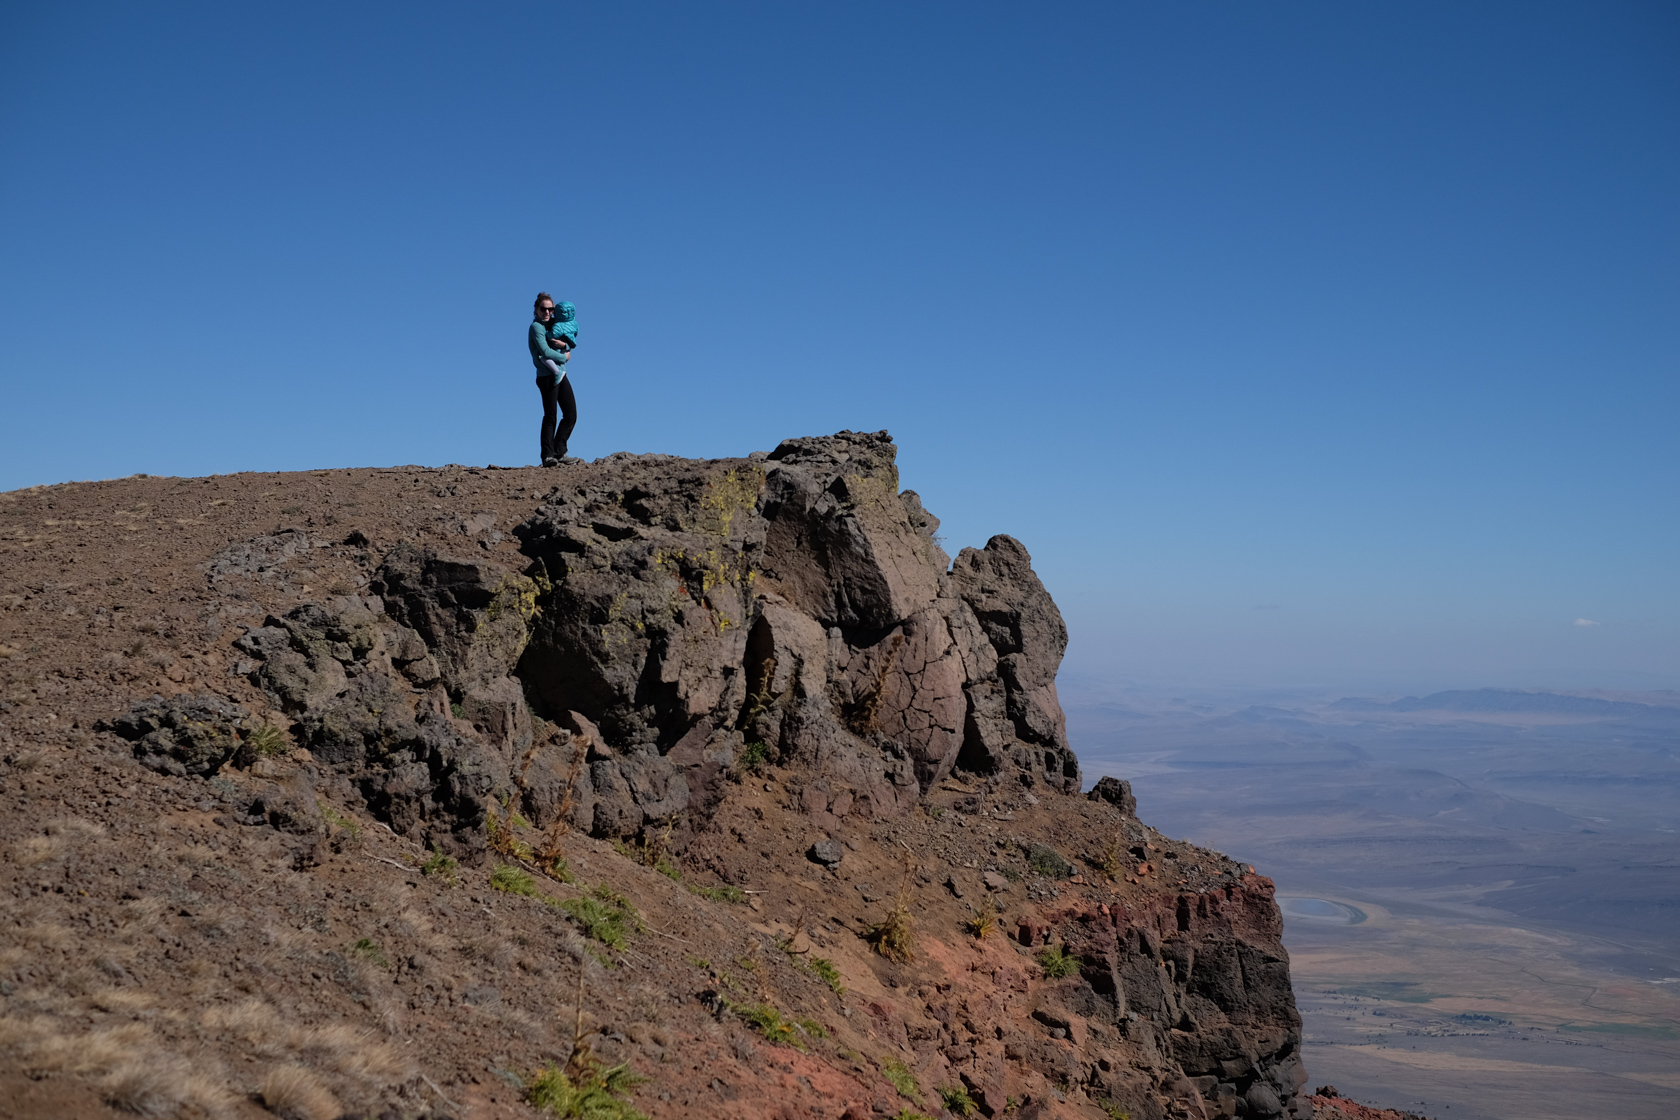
(1481, 889)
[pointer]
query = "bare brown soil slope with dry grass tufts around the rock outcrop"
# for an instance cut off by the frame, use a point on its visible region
(162, 958)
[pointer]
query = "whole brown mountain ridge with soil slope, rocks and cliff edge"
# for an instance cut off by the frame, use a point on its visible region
(364, 793)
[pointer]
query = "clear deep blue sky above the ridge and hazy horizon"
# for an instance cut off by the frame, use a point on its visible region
(1301, 343)
